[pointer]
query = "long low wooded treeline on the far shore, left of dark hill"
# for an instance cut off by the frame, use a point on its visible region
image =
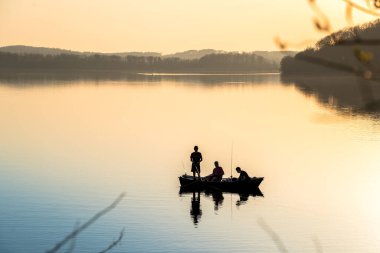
(212, 63)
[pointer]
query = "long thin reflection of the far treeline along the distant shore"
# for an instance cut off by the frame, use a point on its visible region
(27, 78)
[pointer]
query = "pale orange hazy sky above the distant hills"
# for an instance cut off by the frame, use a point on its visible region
(162, 25)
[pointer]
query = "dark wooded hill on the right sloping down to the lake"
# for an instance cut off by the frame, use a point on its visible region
(355, 49)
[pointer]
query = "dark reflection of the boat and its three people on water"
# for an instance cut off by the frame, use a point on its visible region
(217, 197)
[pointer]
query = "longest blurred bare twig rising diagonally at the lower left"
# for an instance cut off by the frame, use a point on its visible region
(77, 231)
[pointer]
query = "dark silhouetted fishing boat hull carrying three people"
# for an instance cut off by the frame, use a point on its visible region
(226, 184)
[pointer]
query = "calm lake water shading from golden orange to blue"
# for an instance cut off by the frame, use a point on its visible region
(70, 146)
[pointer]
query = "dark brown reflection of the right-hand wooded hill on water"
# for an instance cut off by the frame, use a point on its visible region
(346, 93)
